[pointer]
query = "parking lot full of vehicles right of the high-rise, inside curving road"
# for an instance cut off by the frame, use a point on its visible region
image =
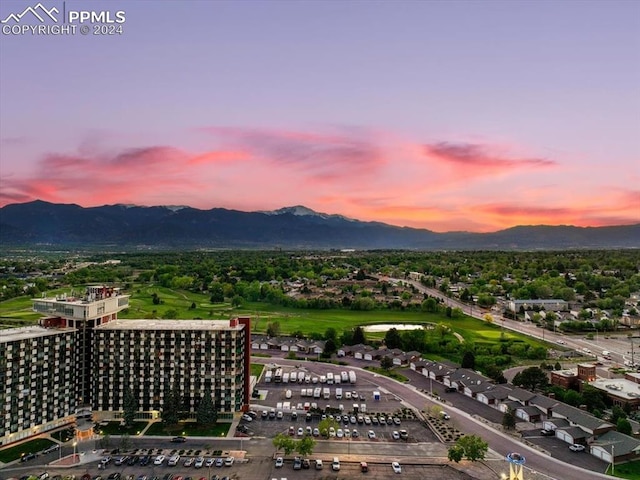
(296, 408)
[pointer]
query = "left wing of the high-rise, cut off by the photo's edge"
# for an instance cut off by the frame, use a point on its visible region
(37, 380)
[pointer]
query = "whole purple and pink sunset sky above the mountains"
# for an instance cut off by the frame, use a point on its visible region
(445, 115)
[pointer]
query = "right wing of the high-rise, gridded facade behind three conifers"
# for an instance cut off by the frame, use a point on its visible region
(151, 358)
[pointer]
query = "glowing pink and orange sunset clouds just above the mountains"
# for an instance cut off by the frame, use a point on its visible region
(370, 176)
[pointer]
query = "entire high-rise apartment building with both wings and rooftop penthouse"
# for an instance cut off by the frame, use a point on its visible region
(81, 356)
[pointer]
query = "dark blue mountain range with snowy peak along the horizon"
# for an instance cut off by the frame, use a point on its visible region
(40, 223)
